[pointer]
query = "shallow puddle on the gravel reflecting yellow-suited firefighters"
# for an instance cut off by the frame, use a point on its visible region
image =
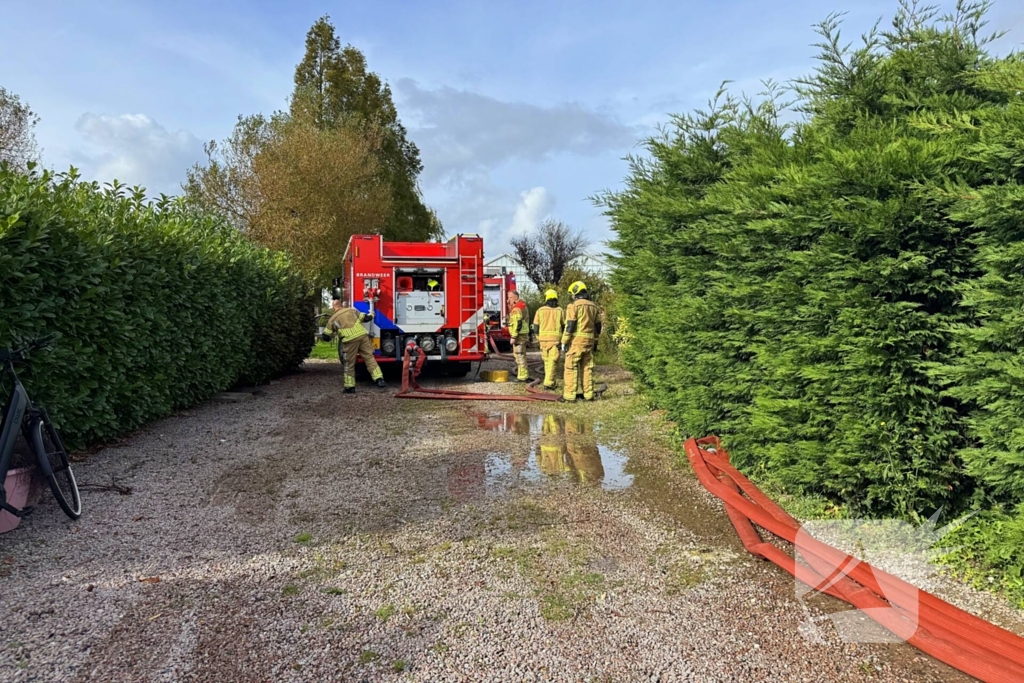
(557, 448)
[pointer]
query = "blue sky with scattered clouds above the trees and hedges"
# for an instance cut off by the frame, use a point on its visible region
(522, 110)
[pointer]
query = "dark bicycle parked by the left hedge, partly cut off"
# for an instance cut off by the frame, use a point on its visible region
(39, 433)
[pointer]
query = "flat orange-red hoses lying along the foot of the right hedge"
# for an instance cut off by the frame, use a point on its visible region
(933, 626)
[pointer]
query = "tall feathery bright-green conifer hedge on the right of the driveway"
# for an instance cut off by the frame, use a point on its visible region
(836, 288)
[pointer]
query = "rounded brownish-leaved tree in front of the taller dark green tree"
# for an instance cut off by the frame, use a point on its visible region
(291, 186)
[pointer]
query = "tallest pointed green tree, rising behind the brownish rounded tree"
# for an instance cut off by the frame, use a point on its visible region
(333, 88)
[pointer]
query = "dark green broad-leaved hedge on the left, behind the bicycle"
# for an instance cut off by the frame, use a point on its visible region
(159, 308)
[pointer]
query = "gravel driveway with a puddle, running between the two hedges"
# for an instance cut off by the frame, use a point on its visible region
(310, 536)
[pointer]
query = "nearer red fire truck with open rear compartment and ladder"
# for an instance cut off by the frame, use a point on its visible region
(429, 291)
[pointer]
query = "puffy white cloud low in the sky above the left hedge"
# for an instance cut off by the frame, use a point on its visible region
(136, 150)
